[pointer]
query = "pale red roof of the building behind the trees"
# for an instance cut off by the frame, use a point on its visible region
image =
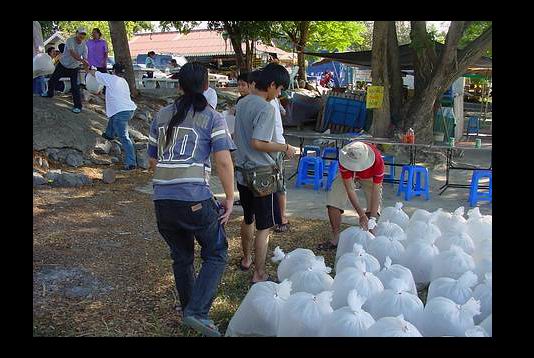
(195, 43)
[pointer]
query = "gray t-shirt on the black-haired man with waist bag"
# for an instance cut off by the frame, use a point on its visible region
(254, 120)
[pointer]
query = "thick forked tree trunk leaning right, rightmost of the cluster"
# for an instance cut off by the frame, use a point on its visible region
(436, 75)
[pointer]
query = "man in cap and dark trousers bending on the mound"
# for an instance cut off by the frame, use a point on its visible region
(74, 55)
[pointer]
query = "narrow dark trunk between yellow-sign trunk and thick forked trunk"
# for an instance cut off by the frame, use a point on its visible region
(395, 75)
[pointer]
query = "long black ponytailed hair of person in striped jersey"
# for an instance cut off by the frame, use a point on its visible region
(193, 78)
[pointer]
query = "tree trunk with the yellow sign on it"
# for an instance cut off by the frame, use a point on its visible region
(379, 74)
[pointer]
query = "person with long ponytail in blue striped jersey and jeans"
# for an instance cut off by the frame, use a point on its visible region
(182, 137)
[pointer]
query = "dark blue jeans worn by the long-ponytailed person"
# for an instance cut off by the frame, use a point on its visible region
(180, 222)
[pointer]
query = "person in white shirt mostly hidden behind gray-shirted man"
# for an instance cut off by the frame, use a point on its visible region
(282, 224)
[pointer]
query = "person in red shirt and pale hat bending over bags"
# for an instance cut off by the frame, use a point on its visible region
(362, 163)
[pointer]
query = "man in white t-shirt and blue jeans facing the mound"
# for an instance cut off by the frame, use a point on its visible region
(119, 108)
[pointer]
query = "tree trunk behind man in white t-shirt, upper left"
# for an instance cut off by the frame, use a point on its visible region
(121, 50)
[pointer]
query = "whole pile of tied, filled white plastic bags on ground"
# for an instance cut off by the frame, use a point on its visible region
(374, 290)
